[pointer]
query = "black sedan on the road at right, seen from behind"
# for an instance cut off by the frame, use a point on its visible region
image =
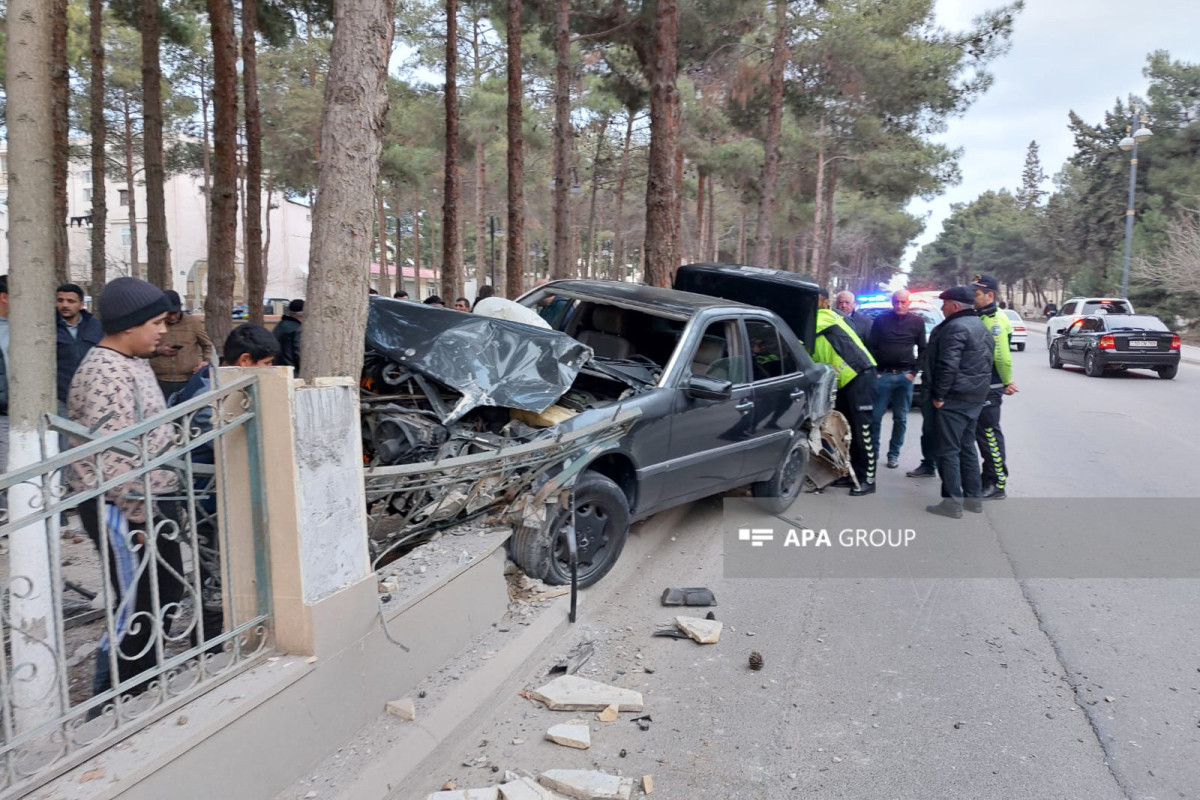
(1102, 342)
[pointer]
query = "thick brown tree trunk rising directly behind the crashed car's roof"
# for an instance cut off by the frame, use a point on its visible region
(662, 245)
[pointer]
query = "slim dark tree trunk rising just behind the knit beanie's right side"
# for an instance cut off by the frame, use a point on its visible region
(158, 249)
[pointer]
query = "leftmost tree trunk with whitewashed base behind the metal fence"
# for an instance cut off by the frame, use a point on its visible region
(35, 699)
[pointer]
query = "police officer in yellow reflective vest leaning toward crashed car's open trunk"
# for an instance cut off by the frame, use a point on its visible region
(839, 346)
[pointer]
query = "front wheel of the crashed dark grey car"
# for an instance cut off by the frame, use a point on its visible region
(602, 525)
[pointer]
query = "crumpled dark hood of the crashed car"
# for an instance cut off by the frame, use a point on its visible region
(489, 362)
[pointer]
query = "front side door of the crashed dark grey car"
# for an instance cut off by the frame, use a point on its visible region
(710, 438)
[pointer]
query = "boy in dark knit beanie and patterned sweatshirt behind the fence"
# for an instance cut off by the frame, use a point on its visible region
(115, 389)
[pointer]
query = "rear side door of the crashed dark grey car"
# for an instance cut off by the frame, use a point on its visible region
(779, 395)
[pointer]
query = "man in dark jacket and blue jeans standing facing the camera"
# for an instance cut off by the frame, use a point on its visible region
(898, 344)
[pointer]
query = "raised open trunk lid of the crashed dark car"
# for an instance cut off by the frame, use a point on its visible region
(791, 296)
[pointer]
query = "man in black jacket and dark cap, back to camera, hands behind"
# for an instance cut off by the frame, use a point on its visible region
(961, 353)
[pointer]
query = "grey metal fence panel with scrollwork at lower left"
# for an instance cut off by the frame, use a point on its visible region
(117, 603)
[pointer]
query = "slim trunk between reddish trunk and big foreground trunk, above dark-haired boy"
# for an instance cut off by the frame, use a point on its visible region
(256, 269)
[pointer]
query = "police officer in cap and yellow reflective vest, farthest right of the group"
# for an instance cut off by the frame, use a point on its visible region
(989, 438)
